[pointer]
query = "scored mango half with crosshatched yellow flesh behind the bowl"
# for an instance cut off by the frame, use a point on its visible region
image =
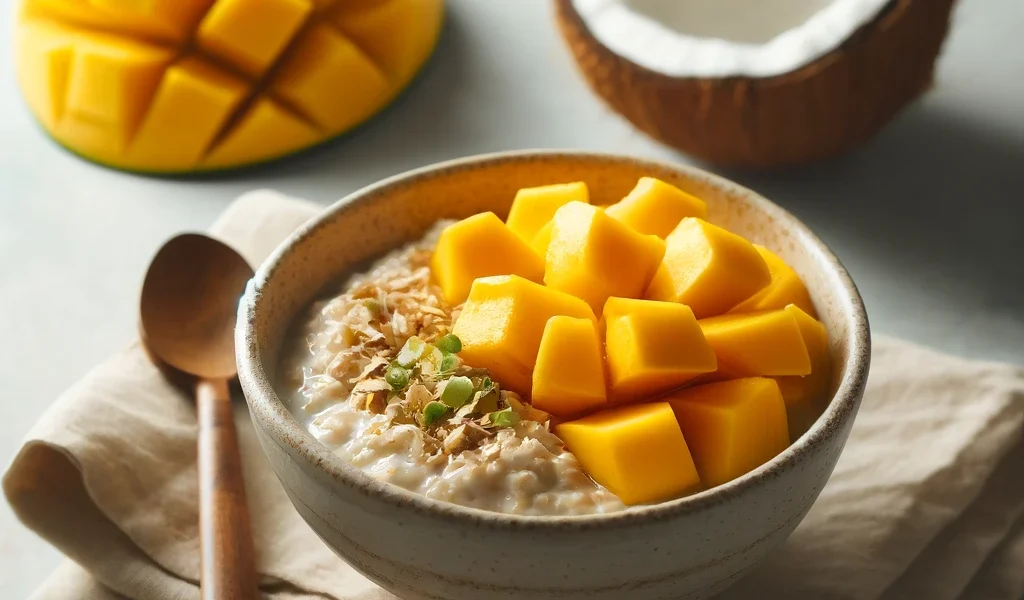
(193, 85)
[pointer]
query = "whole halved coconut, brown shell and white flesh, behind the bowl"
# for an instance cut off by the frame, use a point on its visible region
(757, 83)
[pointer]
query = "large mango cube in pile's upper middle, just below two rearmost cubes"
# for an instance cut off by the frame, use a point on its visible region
(594, 258)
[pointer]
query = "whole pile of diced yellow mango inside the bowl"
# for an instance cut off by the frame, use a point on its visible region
(674, 356)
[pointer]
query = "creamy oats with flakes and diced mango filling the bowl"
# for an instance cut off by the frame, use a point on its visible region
(566, 362)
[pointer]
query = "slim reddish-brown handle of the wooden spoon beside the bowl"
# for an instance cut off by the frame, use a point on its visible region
(226, 538)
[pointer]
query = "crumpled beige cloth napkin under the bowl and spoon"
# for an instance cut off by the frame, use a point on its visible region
(927, 501)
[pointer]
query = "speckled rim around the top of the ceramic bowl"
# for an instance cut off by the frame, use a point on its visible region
(285, 430)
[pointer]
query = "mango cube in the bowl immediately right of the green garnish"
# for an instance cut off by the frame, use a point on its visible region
(502, 324)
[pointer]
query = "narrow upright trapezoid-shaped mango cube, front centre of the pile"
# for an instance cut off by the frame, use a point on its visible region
(569, 377)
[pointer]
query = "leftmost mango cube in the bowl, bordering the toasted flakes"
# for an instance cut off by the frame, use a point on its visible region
(481, 246)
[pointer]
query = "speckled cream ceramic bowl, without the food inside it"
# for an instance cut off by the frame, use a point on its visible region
(422, 549)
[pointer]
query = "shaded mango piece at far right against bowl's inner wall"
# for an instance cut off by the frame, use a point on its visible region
(806, 397)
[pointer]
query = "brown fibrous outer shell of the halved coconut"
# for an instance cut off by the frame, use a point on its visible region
(817, 112)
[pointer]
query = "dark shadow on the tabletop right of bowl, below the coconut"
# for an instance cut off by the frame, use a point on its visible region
(933, 196)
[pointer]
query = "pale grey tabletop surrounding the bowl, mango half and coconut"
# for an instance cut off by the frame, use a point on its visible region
(928, 217)
